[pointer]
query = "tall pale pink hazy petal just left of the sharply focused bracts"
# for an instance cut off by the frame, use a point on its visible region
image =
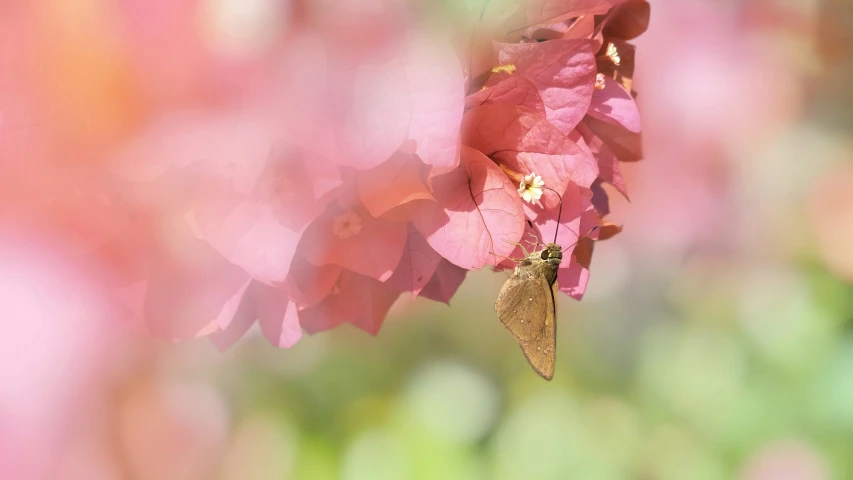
(437, 87)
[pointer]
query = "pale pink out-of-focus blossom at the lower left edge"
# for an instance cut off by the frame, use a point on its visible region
(56, 328)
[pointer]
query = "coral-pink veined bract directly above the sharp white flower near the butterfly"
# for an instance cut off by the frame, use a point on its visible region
(525, 143)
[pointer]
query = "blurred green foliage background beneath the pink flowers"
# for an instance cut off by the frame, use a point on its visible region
(648, 386)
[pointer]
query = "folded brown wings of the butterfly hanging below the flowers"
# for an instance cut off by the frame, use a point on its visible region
(527, 309)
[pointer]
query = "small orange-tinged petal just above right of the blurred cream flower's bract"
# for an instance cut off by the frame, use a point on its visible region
(400, 179)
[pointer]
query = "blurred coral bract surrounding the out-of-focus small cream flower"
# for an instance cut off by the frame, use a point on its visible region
(374, 251)
